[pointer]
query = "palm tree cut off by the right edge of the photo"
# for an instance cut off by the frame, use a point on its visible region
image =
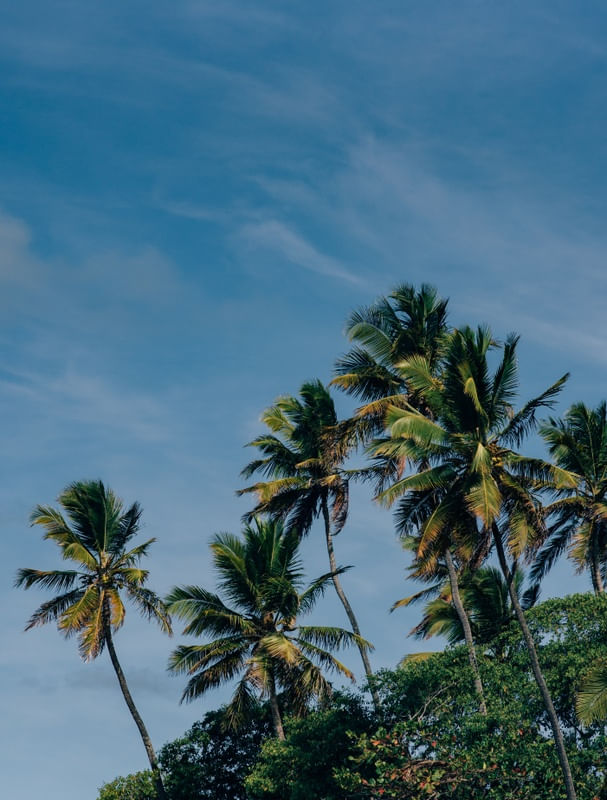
(578, 444)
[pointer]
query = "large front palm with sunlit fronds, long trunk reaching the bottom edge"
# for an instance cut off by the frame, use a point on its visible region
(470, 442)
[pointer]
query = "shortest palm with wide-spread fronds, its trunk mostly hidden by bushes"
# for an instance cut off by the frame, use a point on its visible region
(258, 636)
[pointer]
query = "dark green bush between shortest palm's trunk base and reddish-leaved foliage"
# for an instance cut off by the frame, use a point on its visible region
(303, 766)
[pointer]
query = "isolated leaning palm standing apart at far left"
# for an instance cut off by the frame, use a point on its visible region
(94, 534)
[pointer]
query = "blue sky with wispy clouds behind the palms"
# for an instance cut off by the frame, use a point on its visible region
(193, 197)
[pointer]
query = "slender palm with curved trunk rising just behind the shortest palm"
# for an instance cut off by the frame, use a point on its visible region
(302, 460)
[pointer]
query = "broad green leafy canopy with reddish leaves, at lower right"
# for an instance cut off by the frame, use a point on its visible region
(434, 744)
